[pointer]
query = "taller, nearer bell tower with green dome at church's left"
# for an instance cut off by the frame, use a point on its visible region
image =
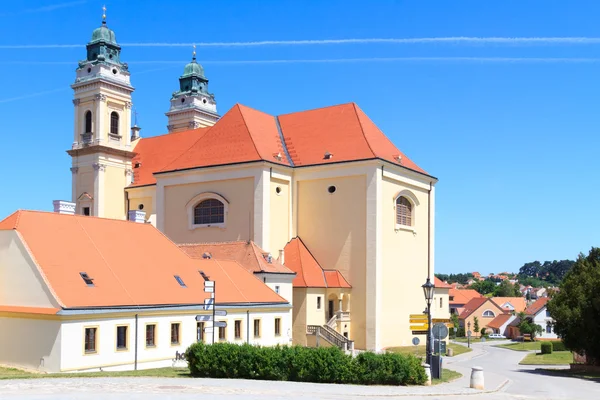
(102, 150)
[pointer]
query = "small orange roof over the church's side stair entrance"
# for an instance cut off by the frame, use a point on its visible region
(309, 272)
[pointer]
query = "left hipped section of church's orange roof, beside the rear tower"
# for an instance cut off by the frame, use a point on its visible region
(241, 135)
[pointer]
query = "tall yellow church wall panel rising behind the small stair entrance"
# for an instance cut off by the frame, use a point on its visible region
(333, 227)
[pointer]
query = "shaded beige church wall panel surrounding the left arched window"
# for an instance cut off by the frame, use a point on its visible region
(238, 221)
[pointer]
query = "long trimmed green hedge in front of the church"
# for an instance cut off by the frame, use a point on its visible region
(302, 364)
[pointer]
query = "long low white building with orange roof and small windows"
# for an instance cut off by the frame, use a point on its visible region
(82, 293)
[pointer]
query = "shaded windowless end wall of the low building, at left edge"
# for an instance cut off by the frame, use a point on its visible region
(30, 343)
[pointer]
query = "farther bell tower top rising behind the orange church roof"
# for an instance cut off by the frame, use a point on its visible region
(192, 106)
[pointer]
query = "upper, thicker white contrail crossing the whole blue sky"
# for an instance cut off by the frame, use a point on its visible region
(454, 40)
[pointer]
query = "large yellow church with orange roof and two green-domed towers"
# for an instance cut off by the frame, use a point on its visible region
(323, 193)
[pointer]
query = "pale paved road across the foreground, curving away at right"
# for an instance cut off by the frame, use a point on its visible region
(503, 377)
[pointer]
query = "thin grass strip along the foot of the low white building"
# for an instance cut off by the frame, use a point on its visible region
(13, 373)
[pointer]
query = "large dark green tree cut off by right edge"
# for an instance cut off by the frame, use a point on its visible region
(575, 308)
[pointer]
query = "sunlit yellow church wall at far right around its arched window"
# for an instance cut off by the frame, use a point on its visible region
(404, 266)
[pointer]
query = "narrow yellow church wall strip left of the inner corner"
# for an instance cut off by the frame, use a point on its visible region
(280, 215)
